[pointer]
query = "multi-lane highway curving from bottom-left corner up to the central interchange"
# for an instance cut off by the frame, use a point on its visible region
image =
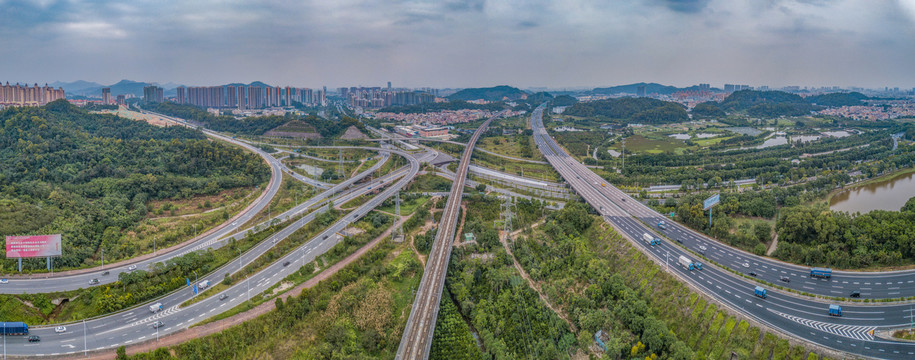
(135, 325)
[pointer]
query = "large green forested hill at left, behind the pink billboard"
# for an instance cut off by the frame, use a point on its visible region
(90, 176)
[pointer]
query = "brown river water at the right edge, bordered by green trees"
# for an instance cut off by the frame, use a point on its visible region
(890, 194)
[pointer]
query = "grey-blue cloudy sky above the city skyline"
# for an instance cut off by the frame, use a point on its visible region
(452, 43)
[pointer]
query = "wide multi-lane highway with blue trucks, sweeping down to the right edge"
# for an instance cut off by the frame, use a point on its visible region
(789, 314)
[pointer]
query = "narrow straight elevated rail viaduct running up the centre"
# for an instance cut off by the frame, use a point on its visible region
(416, 340)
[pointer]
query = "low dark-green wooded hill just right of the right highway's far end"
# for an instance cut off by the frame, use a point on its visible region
(631, 110)
